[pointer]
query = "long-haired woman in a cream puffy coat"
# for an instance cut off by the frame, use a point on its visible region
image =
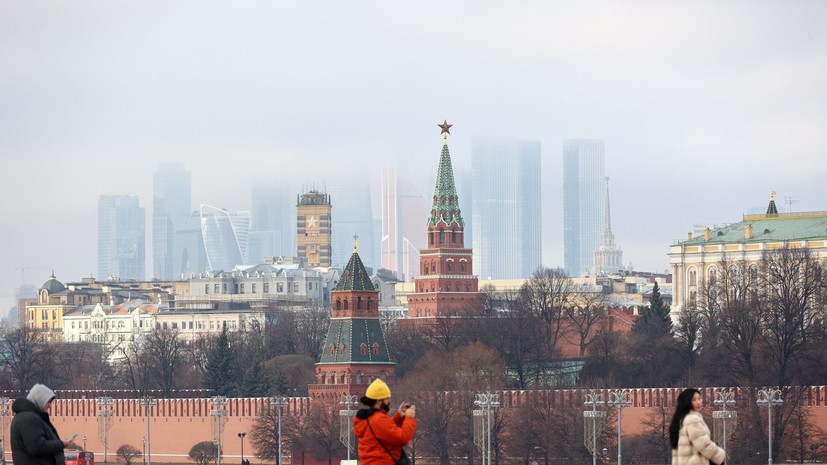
(689, 435)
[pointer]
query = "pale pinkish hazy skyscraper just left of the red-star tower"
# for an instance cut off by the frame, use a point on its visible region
(402, 212)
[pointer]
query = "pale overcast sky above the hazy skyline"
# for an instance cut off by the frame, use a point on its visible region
(705, 107)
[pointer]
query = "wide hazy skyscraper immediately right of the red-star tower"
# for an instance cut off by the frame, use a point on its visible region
(506, 207)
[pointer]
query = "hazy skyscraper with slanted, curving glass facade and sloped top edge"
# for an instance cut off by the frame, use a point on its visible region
(225, 237)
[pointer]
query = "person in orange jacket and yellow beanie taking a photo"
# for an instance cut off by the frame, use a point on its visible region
(381, 437)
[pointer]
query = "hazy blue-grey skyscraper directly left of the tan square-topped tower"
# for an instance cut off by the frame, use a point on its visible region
(272, 233)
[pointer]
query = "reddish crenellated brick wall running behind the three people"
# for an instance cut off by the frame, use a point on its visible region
(178, 424)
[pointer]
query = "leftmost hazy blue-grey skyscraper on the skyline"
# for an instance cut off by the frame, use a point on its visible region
(121, 237)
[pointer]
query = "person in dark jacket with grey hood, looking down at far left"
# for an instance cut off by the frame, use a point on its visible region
(34, 441)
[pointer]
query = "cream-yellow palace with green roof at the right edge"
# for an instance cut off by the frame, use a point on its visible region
(701, 258)
